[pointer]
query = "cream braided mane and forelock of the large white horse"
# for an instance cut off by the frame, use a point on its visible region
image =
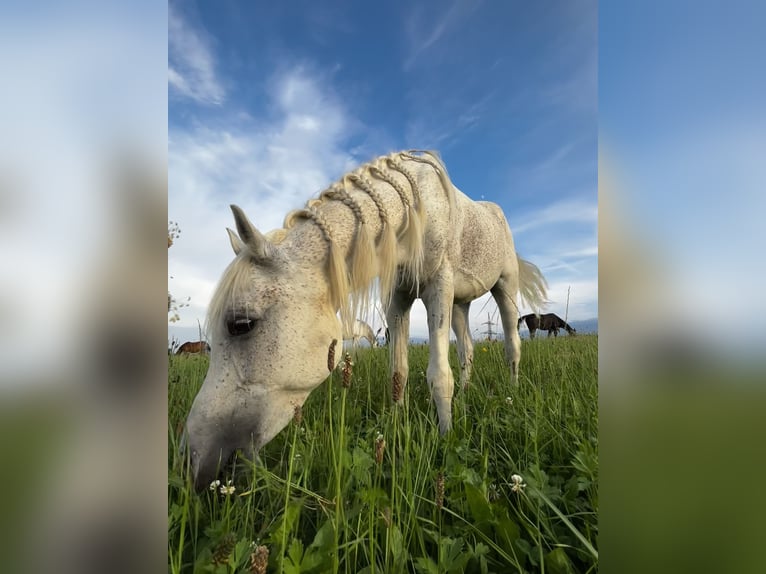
(351, 278)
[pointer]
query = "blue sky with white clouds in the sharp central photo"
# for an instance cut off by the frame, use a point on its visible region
(271, 102)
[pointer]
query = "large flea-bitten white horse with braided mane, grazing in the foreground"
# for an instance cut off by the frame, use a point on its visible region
(396, 227)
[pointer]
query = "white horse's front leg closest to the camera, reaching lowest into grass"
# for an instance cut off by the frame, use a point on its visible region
(437, 297)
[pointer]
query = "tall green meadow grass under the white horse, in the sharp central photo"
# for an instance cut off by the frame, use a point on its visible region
(320, 502)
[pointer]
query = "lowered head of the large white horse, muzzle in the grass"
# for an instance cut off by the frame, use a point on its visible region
(271, 325)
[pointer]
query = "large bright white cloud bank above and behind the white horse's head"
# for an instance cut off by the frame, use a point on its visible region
(267, 166)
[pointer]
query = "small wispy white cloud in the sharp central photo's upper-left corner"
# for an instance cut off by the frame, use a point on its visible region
(191, 65)
